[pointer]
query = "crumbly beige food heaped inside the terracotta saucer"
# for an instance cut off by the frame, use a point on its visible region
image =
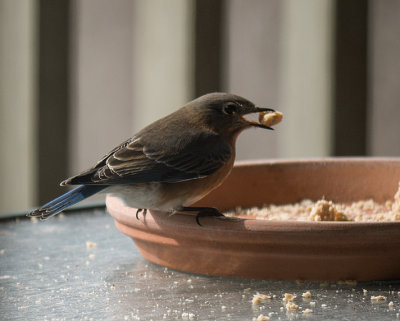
(325, 210)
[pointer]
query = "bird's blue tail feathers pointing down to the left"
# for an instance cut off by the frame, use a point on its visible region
(60, 203)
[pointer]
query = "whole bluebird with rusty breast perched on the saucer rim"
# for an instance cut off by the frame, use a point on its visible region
(171, 163)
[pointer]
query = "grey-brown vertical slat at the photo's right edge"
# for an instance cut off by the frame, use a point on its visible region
(384, 83)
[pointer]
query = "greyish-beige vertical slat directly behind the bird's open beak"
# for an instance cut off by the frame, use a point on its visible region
(251, 66)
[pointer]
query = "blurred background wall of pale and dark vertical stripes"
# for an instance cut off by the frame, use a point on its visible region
(77, 77)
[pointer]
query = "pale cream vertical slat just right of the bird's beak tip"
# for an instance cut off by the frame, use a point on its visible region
(306, 77)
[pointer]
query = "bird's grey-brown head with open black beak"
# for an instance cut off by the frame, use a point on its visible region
(226, 113)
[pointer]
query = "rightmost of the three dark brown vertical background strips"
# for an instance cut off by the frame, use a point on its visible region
(350, 78)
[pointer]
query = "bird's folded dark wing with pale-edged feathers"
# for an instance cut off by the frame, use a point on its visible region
(140, 160)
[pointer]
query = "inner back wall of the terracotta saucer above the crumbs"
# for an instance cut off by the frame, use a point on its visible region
(341, 181)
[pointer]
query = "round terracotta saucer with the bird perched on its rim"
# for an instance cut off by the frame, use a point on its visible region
(285, 250)
